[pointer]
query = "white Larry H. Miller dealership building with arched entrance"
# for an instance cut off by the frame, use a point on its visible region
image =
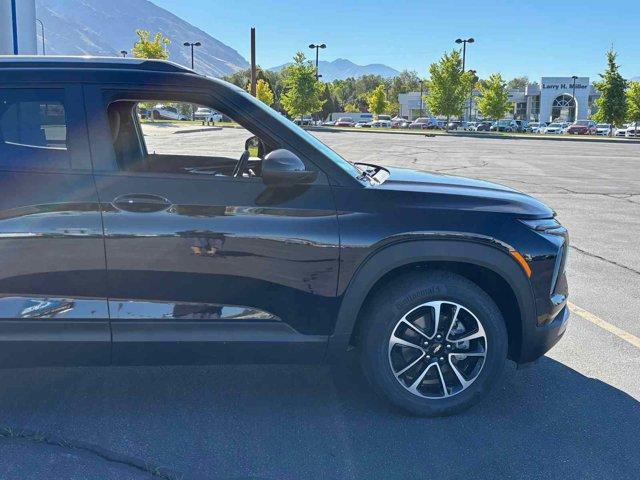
(552, 99)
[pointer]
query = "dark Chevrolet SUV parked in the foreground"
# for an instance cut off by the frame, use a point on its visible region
(132, 241)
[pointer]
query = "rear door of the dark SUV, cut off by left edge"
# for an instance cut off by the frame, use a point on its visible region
(53, 306)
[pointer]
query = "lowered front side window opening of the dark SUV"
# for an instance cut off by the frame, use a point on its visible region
(180, 138)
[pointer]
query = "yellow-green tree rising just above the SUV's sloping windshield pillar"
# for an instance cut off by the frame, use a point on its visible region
(302, 88)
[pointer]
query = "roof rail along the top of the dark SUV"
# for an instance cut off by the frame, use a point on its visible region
(54, 61)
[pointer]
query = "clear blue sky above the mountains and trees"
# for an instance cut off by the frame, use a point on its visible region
(545, 37)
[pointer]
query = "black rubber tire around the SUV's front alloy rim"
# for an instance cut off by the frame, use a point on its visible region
(387, 308)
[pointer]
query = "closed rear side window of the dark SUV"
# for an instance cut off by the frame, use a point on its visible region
(33, 129)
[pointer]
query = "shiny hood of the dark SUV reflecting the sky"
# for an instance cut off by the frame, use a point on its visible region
(446, 191)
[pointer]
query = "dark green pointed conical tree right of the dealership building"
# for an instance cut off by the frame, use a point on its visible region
(612, 103)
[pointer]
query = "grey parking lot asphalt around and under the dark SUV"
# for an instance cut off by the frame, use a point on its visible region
(574, 415)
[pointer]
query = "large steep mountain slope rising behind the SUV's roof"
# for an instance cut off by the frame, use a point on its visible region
(104, 27)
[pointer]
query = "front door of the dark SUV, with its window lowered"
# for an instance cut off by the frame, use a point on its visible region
(205, 267)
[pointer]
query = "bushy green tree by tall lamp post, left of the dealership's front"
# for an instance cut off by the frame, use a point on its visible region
(449, 88)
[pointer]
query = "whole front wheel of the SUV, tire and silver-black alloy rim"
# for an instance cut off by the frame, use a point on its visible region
(433, 343)
